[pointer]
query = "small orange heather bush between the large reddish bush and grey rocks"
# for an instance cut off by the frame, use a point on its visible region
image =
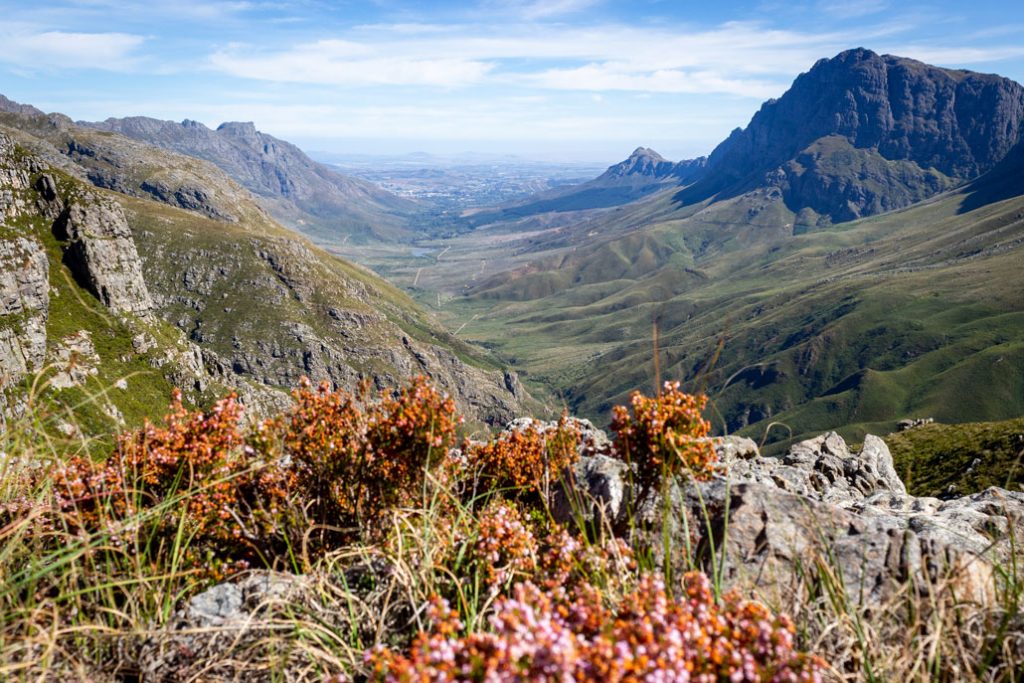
(530, 459)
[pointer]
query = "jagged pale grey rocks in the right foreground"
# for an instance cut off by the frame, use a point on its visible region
(822, 508)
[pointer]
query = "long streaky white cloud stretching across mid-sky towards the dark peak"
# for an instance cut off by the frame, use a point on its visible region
(738, 59)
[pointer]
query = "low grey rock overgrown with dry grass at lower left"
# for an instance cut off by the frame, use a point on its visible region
(245, 629)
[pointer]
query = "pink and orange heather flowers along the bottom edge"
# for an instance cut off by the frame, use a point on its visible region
(648, 636)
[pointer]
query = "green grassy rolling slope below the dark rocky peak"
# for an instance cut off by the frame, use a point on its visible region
(918, 312)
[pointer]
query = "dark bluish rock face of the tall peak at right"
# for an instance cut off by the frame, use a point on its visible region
(862, 134)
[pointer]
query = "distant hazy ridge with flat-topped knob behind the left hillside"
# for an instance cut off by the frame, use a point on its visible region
(295, 190)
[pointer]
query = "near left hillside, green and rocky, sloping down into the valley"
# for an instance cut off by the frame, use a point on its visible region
(129, 270)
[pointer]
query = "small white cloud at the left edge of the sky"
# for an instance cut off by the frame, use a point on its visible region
(61, 50)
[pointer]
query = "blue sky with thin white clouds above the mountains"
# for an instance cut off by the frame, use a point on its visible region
(567, 80)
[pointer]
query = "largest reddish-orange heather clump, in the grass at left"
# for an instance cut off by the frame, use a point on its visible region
(335, 461)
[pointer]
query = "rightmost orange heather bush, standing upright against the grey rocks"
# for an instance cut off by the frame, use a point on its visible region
(664, 437)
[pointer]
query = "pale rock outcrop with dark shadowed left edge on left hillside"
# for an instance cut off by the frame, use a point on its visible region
(103, 255)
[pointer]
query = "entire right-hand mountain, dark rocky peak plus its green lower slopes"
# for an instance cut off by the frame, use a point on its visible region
(766, 288)
